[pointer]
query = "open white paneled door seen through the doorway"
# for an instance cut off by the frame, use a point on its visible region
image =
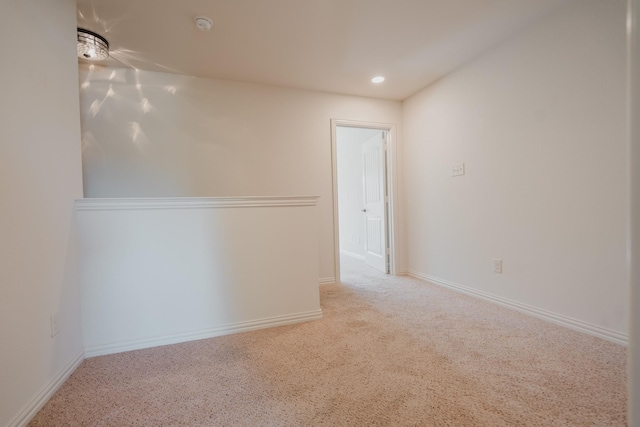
(374, 192)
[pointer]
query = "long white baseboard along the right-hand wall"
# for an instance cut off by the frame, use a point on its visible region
(568, 322)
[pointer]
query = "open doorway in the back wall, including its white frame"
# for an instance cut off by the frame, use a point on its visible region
(363, 193)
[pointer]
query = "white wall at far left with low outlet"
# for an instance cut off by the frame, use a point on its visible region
(40, 176)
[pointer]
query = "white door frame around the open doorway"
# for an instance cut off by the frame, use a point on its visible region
(391, 183)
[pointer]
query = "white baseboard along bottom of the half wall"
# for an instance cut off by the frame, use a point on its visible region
(252, 325)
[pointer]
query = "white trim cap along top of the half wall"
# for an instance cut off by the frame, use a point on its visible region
(193, 202)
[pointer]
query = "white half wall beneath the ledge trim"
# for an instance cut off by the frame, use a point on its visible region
(168, 270)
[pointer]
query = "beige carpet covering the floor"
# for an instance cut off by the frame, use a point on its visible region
(389, 351)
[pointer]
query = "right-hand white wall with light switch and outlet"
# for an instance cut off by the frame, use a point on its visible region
(540, 124)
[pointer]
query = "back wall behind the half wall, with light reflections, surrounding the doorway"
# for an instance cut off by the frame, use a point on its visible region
(148, 134)
